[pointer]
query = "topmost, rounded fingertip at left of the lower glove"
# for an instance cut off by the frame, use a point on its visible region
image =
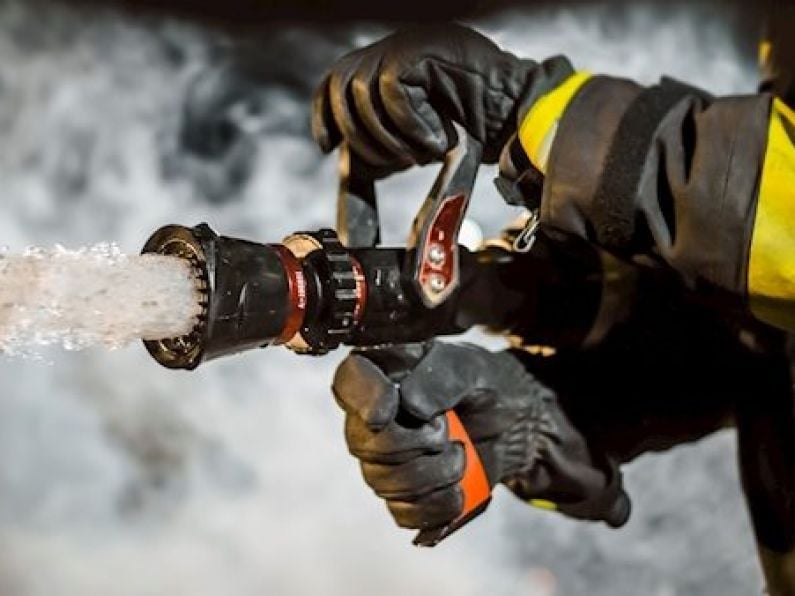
(364, 391)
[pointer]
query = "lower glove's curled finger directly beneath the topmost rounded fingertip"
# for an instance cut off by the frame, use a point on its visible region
(396, 443)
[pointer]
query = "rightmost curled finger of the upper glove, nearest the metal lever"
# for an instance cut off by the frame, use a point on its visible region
(410, 109)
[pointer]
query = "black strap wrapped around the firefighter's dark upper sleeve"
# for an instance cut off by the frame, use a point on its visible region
(614, 200)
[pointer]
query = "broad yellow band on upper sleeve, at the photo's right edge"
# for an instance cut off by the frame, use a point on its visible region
(771, 266)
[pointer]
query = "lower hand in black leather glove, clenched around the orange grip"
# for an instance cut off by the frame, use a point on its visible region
(395, 399)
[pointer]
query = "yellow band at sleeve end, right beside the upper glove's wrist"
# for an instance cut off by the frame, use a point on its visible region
(541, 123)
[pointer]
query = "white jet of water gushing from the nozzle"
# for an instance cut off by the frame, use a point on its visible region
(92, 296)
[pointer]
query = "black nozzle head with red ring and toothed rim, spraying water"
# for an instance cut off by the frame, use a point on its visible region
(308, 293)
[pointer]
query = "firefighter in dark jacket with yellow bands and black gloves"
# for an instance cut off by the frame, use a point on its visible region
(664, 177)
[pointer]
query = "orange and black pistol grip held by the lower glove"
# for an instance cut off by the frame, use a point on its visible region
(474, 486)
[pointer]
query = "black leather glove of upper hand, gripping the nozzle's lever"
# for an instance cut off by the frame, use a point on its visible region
(393, 101)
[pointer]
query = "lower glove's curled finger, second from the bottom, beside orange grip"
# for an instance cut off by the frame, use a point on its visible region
(417, 477)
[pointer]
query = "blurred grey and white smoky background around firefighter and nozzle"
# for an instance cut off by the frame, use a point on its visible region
(121, 478)
